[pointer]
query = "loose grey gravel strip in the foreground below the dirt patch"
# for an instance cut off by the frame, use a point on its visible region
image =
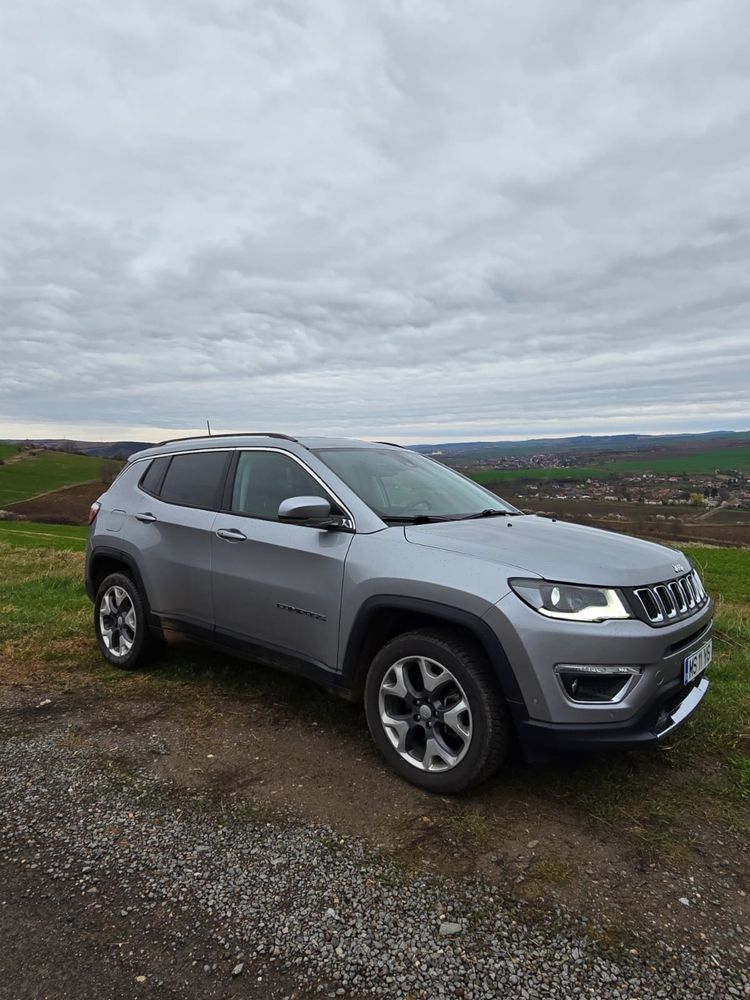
(284, 909)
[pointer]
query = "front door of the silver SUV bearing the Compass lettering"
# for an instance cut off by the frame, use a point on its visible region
(274, 583)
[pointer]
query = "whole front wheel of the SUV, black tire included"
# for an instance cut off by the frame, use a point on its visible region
(419, 681)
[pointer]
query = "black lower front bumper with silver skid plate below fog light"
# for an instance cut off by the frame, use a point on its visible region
(651, 726)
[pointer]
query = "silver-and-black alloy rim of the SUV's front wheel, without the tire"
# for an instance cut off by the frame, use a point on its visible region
(425, 713)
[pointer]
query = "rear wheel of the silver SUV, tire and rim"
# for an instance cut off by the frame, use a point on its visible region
(129, 642)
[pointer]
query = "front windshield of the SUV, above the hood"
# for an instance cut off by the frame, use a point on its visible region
(404, 485)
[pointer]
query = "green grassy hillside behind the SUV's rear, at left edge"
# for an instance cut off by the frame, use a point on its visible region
(48, 470)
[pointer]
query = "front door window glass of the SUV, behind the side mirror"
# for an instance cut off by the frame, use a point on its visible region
(265, 478)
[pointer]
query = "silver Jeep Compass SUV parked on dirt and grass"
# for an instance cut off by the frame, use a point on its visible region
(387, 577)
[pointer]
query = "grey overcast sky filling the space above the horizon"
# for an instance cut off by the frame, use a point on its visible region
(413, 219)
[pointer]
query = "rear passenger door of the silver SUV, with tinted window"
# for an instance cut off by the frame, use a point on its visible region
(171, 527)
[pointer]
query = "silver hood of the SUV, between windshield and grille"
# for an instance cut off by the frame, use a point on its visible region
(555, 550)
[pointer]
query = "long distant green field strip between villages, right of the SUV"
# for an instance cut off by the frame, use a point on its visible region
(699, 462)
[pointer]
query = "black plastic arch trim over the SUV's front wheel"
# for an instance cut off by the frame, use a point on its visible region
(353, 670)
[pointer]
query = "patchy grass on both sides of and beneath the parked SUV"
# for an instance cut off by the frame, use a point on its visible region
(45, 633)
